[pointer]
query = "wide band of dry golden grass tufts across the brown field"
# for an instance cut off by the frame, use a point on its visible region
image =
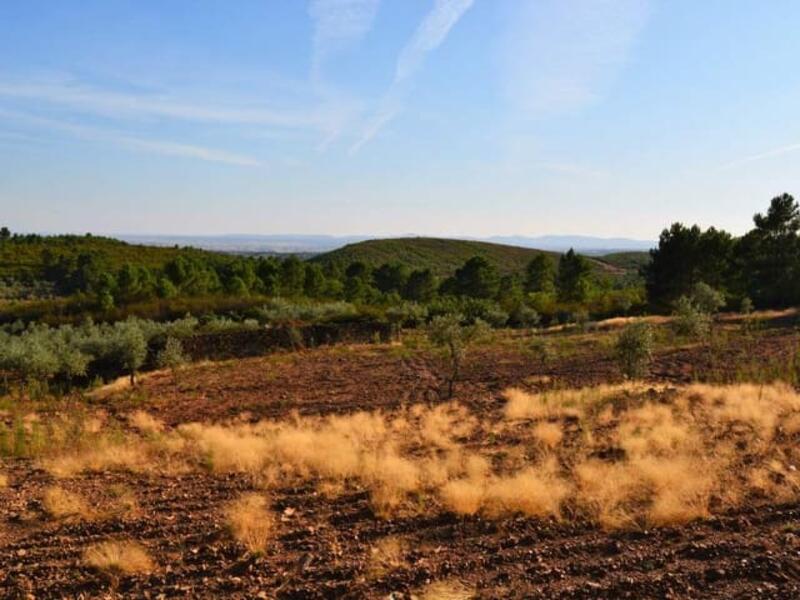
(621, 456)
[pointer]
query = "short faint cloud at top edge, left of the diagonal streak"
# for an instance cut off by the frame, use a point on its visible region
(338, 24)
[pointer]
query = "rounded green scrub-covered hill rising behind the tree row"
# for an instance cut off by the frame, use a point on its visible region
(443, 256)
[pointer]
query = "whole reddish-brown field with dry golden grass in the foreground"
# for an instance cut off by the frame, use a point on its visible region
(344, 472)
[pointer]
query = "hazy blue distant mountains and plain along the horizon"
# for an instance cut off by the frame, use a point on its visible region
(315, 244)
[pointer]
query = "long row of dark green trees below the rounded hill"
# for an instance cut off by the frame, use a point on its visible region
(554, 289)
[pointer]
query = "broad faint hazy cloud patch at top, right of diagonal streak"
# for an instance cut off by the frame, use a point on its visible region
(562, 55)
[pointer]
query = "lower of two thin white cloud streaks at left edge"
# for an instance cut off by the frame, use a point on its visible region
(153, 146)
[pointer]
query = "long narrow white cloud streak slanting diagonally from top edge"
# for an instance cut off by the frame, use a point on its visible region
(429, 35)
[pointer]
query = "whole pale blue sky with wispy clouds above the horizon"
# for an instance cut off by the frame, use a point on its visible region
(389, 117)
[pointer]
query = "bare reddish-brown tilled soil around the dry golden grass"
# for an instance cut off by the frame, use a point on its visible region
(323, 546)
